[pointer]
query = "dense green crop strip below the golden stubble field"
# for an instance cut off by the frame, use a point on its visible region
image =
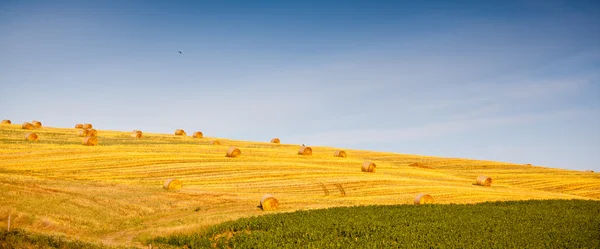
(514, 224)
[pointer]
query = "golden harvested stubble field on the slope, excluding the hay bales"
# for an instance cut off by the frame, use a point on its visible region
(113, 192)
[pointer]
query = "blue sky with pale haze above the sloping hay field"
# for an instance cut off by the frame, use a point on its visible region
(513, 81)
